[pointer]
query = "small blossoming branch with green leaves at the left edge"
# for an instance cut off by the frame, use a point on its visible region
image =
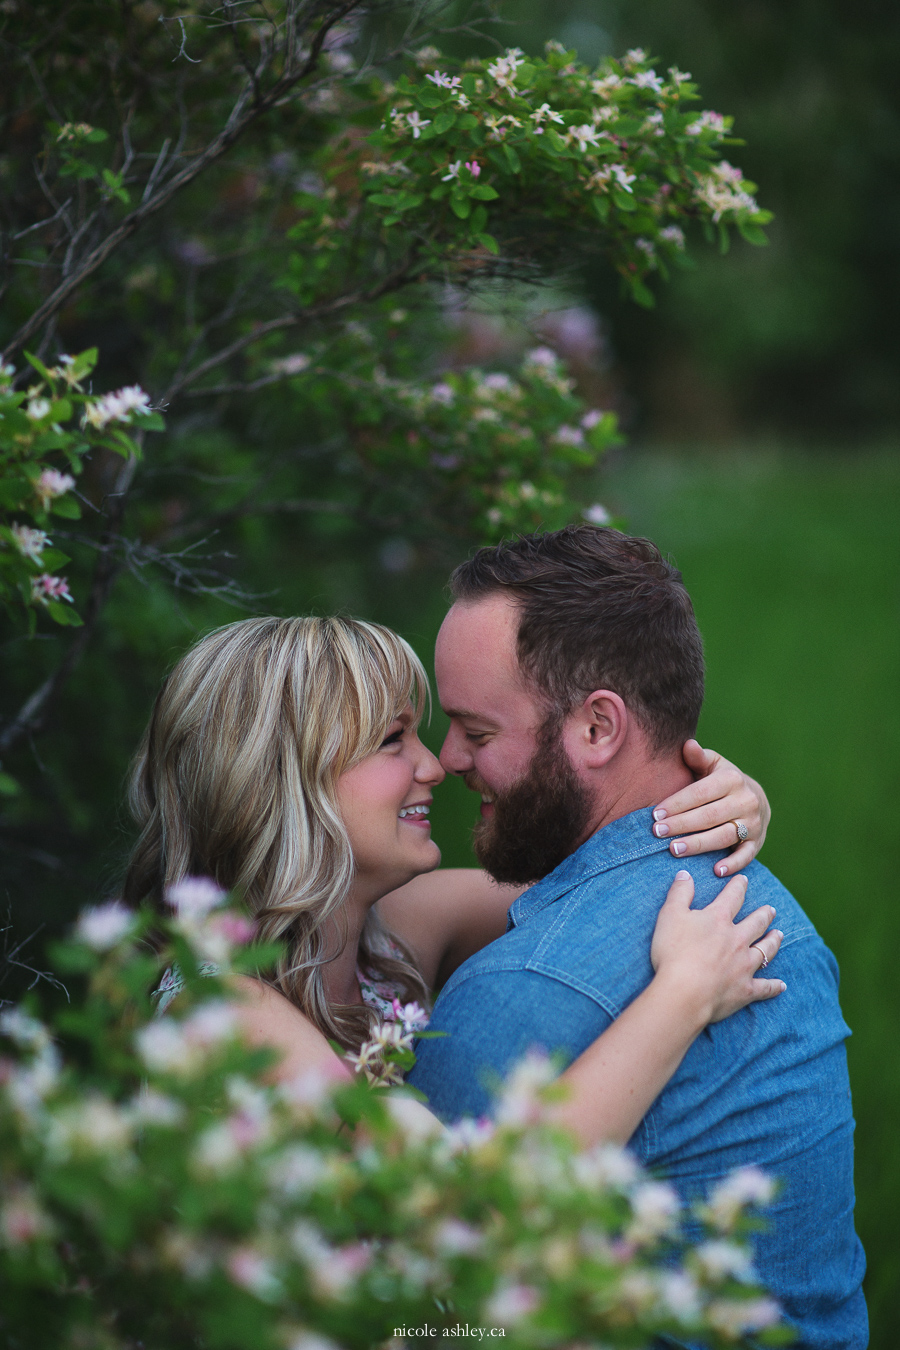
(34, 441)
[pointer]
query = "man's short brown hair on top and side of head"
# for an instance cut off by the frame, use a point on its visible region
(598, 611)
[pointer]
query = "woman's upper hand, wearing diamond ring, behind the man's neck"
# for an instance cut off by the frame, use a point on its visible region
(705, 813)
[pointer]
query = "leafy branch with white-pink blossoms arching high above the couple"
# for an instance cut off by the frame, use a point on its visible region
(474, 155)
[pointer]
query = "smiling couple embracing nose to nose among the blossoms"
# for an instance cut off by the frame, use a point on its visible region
(283, 758)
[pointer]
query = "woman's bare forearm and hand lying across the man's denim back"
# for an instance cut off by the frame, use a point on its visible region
(705, 971)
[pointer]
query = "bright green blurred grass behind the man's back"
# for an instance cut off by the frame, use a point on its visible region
(794, 565)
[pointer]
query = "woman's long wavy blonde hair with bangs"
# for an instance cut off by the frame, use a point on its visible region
(237, 780)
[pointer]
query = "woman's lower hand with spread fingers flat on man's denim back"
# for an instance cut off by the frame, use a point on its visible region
(709, 958)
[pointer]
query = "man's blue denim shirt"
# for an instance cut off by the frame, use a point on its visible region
(767, 1087)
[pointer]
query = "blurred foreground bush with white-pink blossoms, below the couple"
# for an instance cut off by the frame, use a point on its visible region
(157, 1193)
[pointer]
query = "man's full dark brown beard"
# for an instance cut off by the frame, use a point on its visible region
(539, 821)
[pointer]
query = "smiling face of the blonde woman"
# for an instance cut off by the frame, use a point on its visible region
(384, 804)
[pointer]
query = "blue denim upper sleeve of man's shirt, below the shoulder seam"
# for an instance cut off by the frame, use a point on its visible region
(490, 1021)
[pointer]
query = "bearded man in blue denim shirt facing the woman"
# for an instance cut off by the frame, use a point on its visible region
(571, 669)
